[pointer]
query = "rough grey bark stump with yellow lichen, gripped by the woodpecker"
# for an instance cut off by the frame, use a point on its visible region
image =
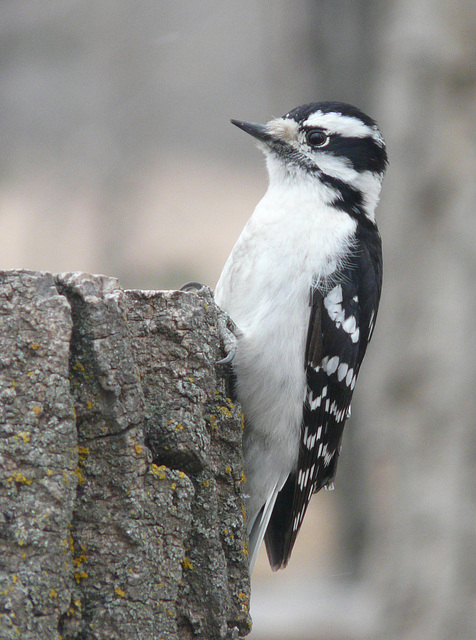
(121, 502)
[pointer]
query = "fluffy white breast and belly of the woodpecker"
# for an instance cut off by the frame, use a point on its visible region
(292, 239)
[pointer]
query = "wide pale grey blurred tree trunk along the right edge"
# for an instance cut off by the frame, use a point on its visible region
(420, 446)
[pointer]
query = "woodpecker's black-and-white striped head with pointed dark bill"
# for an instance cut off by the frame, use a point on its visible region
(331, 142)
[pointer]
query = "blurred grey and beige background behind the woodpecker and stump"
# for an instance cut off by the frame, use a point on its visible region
(118, 158)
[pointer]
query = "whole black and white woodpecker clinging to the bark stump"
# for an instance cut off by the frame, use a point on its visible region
(302, 285)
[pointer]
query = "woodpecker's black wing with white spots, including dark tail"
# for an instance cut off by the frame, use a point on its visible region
(340, 326)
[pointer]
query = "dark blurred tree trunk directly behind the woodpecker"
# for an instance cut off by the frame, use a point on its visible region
(341, 42)
